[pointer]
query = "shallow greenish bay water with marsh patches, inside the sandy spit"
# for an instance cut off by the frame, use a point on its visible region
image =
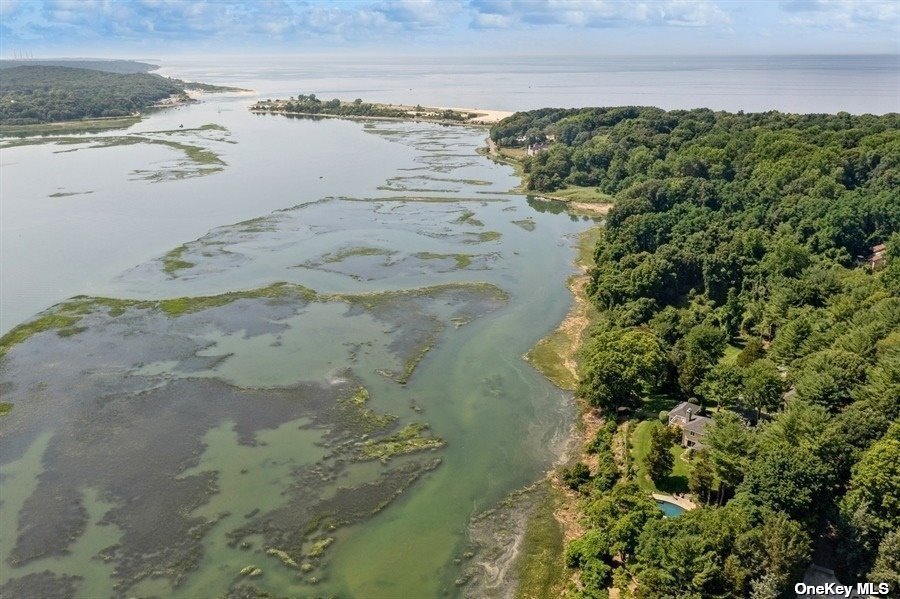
(159, 454)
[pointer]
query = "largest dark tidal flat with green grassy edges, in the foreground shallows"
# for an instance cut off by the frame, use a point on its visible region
(138, 437)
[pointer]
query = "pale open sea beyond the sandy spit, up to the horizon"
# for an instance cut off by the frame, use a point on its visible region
(856, 84)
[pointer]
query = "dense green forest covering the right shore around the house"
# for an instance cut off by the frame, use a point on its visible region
(737, 269)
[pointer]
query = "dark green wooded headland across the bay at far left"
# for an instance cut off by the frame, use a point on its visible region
(38, 94)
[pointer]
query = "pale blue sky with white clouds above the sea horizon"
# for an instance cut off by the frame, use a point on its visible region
(144, 28)
